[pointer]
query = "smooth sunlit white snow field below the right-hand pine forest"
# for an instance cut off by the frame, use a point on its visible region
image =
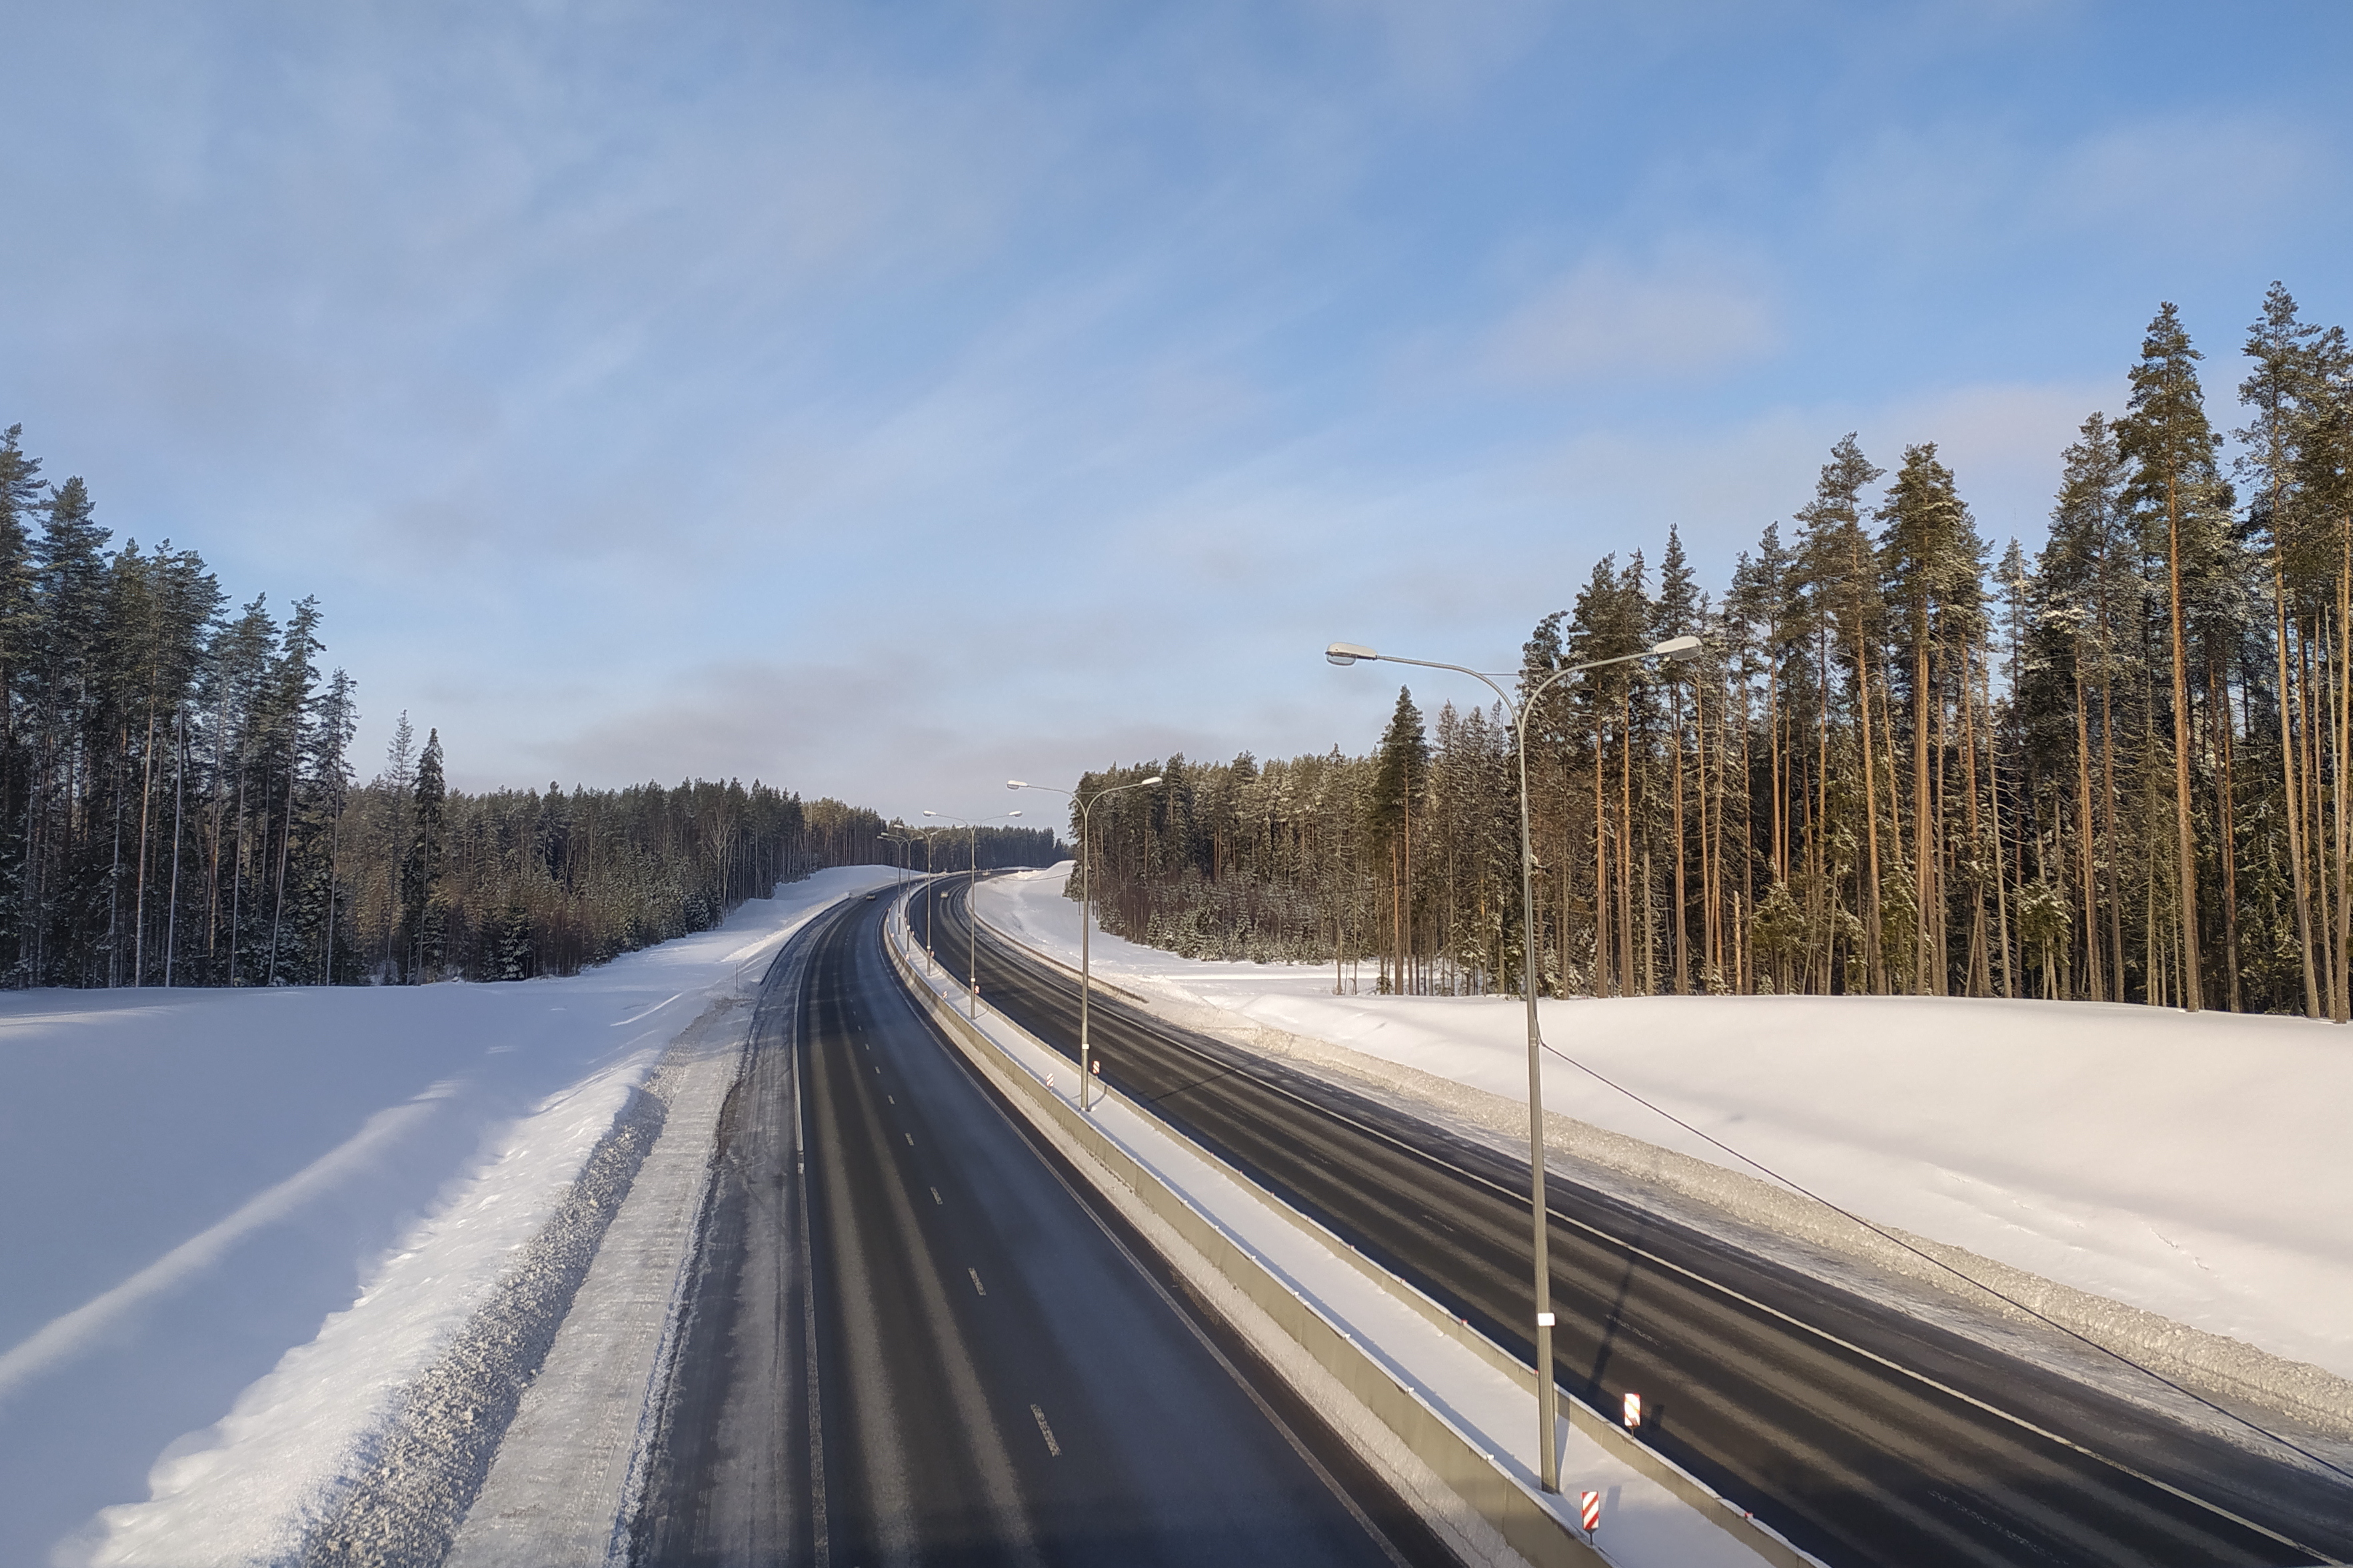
(2197, 1167)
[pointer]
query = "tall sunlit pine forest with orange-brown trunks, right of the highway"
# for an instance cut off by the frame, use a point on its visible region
(2112, 770)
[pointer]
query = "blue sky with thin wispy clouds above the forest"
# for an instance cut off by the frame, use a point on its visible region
(893, 398)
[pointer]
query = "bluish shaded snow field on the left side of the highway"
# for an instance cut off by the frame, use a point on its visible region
(234, 1221)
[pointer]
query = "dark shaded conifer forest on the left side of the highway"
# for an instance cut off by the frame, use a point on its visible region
(180, 805)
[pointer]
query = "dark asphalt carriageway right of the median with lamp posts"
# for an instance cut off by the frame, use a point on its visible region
(1858, 1433)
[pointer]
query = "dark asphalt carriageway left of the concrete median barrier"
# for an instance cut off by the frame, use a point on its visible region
(916, 1343)
